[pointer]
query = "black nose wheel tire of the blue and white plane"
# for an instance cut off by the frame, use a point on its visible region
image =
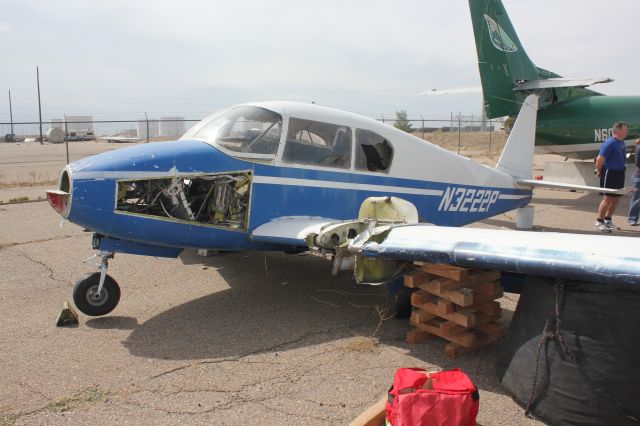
(87, 299)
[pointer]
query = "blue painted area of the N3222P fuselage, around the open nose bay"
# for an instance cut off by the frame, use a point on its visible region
(94, 198)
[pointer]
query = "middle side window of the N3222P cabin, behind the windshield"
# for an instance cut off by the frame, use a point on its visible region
(317, 143)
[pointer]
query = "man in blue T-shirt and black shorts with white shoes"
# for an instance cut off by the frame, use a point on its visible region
(610, 167)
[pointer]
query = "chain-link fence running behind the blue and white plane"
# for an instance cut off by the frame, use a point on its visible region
(28, 160)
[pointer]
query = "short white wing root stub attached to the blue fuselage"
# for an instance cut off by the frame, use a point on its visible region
(290, 230)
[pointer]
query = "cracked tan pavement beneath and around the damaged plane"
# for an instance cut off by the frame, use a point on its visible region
(232, 339)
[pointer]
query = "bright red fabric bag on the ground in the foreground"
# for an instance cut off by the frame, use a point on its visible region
(439, 398)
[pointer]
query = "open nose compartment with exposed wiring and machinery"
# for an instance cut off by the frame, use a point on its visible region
(218, 200)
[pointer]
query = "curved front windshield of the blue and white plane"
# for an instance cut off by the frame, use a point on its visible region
(244, 129)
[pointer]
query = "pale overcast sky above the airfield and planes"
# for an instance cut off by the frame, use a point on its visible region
(119, 58)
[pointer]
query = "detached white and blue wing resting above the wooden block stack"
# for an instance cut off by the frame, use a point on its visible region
(596, 258)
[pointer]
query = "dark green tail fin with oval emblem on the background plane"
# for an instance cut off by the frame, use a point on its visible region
(501, 58)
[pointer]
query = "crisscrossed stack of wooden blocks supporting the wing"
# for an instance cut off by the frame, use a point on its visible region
(456, 304)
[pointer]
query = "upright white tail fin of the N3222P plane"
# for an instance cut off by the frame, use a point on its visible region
(517, 157)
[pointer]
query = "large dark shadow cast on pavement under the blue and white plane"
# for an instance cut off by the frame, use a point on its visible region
(291, 302)
